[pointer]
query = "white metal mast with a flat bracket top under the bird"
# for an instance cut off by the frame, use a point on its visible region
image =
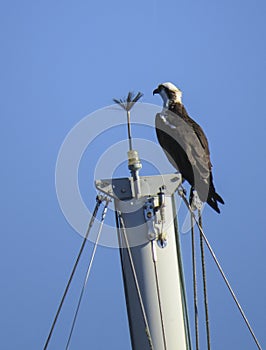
(151, 261)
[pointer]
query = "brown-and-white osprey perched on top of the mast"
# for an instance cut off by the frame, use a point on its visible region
(185, 145)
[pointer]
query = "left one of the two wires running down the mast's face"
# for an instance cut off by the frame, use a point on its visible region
(147, 328)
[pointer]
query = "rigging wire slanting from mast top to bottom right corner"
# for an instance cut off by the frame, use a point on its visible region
(181, 193)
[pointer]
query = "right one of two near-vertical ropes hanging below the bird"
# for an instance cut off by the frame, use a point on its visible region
(207, 322)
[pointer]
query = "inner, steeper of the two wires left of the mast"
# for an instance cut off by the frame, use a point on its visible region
(88, 271)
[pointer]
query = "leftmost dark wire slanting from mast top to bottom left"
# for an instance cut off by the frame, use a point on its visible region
(98, 202)
